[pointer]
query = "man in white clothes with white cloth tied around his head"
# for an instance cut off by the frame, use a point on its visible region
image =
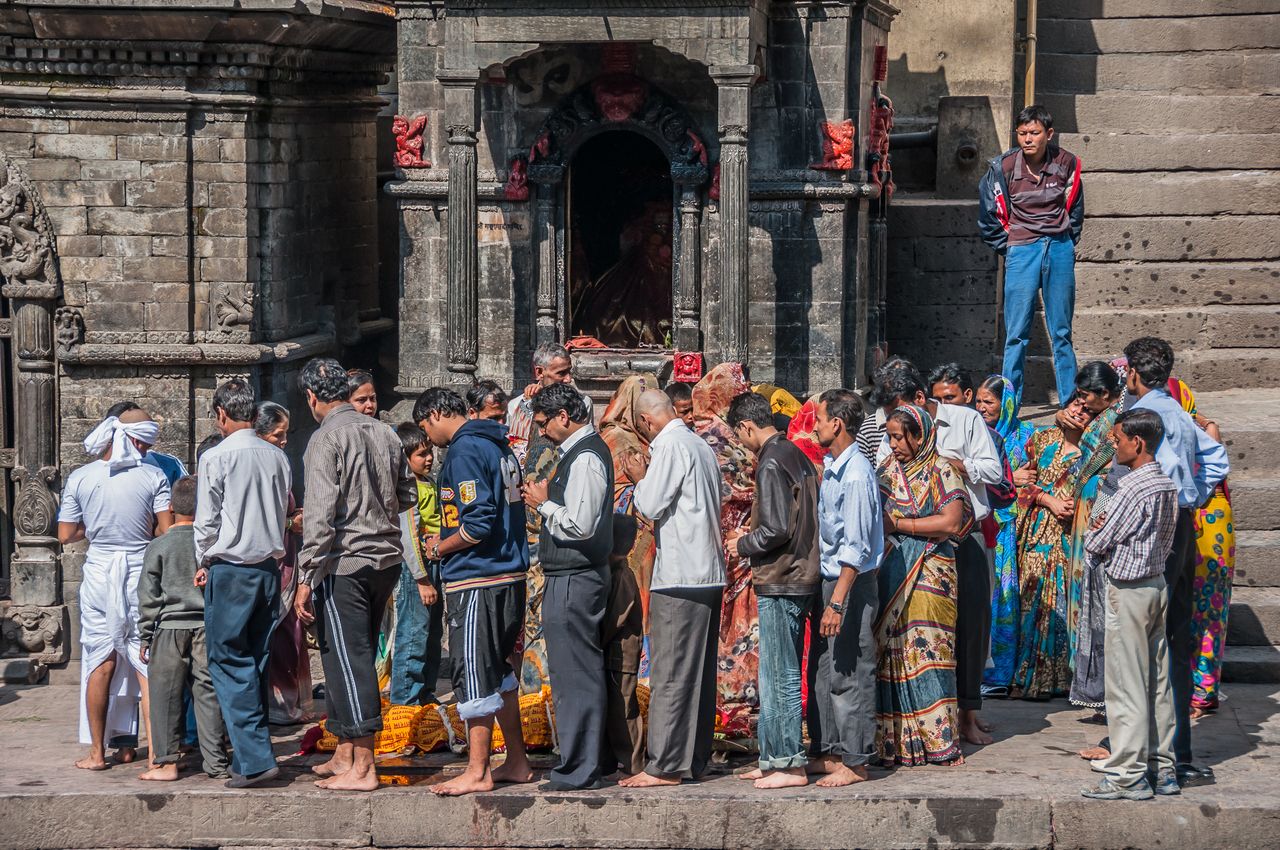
(118, 504)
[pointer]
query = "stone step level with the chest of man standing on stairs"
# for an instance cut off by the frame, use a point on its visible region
(1151, 193)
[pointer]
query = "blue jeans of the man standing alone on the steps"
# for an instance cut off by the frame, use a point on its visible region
(1046, 266)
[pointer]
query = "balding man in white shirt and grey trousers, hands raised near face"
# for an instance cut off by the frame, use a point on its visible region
(679, 490)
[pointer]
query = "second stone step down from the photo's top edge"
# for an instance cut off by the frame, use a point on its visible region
(1158, 35)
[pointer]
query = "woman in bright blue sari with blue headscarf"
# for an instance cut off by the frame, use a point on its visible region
(998, 403)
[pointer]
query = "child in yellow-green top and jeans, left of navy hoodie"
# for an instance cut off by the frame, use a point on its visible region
(419, 602)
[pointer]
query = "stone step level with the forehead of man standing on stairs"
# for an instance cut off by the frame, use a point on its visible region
(1164, 115)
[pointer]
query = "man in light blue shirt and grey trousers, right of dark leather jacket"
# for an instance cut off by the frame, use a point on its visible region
(843, 654)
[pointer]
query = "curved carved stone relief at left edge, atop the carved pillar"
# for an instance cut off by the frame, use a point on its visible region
(28, 253)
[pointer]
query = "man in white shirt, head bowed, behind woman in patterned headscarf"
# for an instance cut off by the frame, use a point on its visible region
(963, 438)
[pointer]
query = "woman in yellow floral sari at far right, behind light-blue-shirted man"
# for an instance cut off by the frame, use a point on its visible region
(1215, 569)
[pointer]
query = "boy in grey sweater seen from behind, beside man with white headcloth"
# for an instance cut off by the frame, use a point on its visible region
(172, 632)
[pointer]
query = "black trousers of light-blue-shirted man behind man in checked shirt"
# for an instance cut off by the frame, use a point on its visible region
(1181, 579)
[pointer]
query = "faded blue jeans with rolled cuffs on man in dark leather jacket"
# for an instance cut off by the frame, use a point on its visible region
(783, 627)
